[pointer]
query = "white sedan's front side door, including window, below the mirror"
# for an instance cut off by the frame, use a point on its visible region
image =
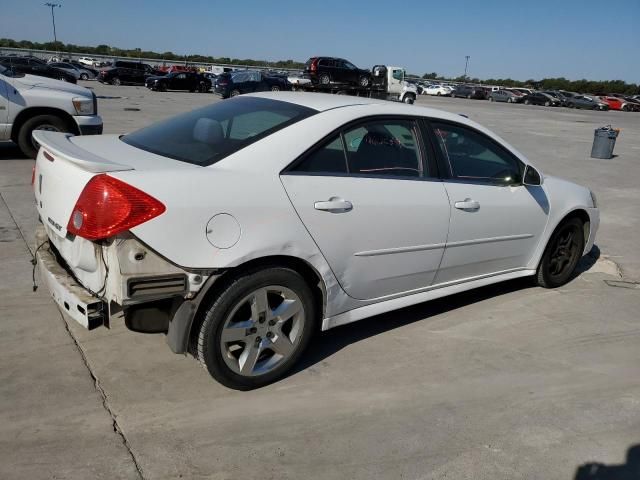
(496, 221)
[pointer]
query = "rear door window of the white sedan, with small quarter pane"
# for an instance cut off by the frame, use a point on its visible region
(385, 148)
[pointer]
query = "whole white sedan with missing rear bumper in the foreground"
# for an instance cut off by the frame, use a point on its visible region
(243, 227)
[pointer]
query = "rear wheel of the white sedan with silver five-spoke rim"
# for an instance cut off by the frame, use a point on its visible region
(257, 328)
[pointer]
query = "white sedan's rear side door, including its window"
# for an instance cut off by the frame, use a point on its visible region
(373, 206)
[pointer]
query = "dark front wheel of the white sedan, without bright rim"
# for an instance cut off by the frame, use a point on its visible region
(562, 254)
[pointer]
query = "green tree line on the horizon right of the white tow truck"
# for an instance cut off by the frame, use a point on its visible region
(560, 83)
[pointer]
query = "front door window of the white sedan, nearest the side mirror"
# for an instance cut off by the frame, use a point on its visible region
(474, 156)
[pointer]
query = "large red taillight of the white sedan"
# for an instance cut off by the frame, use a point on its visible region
(108, 206)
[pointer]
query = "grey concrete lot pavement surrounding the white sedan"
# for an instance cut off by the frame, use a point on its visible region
(505, 382)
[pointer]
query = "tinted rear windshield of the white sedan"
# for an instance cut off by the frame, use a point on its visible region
(207, 135)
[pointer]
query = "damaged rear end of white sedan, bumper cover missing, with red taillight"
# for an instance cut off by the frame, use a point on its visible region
(88, 258)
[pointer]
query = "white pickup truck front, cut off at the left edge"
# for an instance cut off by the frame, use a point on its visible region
(30, 102)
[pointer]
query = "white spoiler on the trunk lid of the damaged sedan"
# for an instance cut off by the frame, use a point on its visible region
(61, 146)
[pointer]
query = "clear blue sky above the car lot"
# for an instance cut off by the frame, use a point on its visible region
(593, 39)
